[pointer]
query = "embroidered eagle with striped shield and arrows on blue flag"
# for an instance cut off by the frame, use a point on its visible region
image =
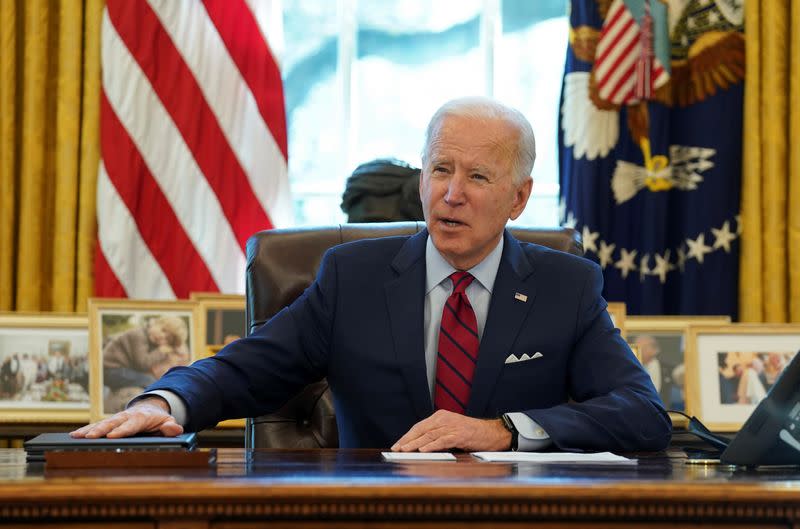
(628, 70)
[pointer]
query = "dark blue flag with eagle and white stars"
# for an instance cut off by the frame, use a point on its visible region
(650, 136)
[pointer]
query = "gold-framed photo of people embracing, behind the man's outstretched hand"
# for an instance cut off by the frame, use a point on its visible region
(132, 343)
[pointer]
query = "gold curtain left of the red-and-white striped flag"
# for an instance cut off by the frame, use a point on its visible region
(49, 152)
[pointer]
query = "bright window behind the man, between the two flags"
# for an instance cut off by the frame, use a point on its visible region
(362, 78)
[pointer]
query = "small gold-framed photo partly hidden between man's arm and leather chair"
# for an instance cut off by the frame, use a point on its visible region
(220, 322)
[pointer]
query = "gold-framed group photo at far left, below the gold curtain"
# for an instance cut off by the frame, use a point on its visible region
(44, 368)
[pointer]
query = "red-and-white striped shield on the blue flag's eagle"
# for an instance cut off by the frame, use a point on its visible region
(624, 68)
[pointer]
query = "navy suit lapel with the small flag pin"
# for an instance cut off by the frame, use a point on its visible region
(503, 323)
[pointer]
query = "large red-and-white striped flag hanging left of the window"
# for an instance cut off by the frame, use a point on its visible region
(193, 143)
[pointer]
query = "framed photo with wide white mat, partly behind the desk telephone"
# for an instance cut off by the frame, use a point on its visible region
(730, 368)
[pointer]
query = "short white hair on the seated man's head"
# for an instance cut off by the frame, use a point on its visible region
(484, 108)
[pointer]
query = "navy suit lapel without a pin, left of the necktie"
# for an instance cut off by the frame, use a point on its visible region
(405, 297)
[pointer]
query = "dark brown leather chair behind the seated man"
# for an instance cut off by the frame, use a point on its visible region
(281, 264)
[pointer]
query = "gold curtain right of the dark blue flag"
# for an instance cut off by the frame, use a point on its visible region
(769, 281)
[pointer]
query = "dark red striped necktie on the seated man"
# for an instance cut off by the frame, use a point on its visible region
(458, 348)
